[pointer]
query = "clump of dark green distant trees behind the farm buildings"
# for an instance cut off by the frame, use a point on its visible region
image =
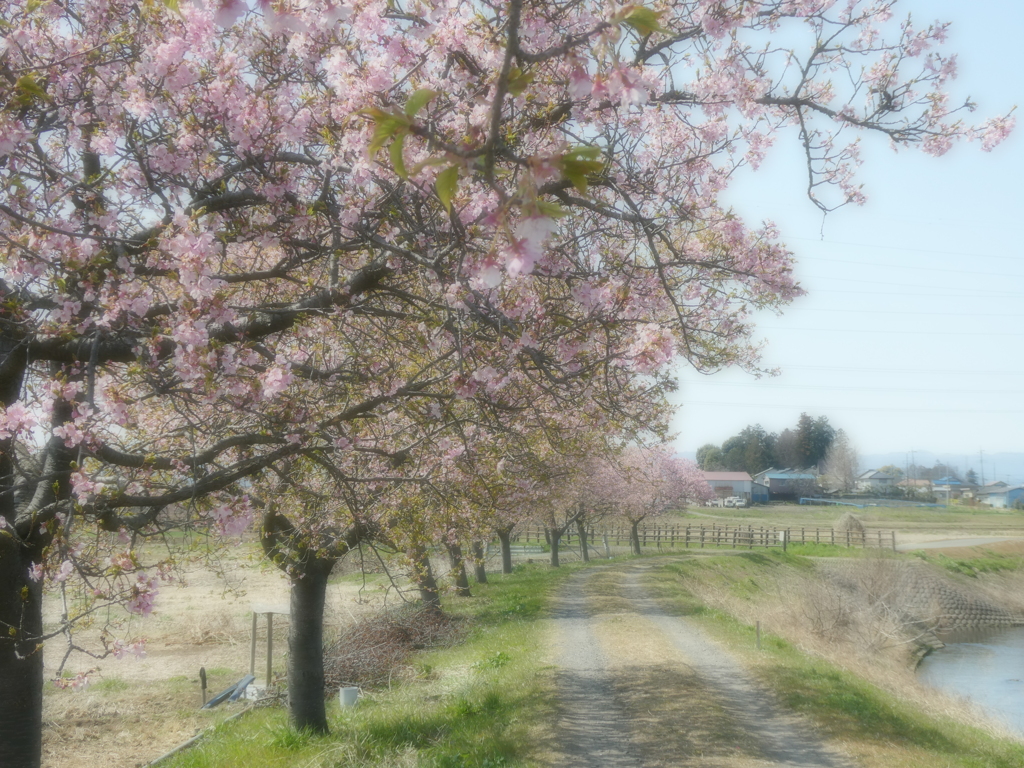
(755, 450)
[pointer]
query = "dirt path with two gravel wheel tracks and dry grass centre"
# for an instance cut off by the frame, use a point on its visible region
(641, 687)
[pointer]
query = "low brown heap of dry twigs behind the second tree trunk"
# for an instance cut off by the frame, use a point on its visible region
(372, 652)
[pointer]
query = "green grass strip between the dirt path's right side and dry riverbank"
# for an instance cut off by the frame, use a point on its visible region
(879, 729)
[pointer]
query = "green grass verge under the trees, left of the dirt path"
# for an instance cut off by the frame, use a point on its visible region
(474, 705)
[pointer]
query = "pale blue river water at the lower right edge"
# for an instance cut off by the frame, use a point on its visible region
(986, 667)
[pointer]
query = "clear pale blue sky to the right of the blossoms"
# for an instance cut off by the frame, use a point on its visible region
(911, 336)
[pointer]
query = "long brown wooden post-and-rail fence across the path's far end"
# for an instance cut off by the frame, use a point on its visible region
(735, 537)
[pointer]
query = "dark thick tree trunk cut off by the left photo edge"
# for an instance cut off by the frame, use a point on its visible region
(21, 657)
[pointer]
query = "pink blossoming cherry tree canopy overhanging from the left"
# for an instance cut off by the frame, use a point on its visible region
(309, 245)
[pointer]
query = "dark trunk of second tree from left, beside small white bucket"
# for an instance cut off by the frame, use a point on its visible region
(306, 650)
